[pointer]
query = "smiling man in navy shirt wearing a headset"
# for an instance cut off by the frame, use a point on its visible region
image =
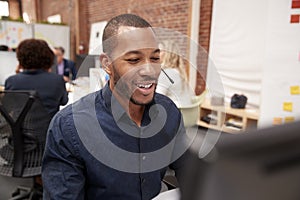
(117, 143)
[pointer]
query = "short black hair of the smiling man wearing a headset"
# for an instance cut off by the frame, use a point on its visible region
(113, 25)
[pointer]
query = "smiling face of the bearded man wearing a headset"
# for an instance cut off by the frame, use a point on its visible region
(135, 65)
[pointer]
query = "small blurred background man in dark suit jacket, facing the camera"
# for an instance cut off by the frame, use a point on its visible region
(64, 67)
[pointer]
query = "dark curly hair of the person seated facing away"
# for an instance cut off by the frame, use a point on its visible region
(35, 54)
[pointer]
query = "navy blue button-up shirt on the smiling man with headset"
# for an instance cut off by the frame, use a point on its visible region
(95, 151)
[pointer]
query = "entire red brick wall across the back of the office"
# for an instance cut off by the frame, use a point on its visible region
(171, 14)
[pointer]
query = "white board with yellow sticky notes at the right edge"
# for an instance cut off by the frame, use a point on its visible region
(281, 65)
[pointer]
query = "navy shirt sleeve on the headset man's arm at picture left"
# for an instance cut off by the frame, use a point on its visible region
(62, 170)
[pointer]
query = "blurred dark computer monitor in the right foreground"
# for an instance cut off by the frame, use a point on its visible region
(256, 165)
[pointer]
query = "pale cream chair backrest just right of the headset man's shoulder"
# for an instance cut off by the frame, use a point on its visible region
(191, 113)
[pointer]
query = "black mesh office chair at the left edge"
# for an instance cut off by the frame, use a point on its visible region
(23, 127)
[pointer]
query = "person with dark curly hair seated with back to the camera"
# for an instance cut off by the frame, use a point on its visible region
(35, 59)
